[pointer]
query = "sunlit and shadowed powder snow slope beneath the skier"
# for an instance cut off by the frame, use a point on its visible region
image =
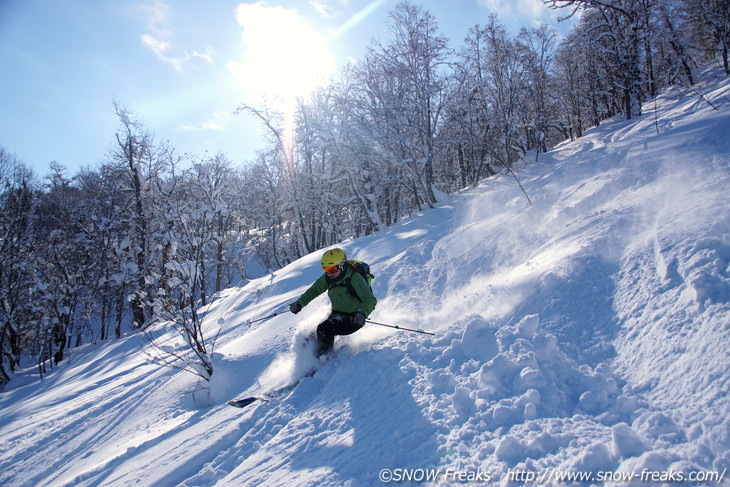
(584, 334)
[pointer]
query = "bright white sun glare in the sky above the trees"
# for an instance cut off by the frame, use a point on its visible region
(283, 55)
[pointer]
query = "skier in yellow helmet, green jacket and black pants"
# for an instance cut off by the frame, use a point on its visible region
(350, 295)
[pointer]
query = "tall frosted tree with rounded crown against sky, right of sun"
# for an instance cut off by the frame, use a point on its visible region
(407, 80)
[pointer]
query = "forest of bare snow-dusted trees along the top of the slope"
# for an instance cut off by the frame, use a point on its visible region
(151, 235)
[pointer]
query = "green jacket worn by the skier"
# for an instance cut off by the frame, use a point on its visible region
(342, 300)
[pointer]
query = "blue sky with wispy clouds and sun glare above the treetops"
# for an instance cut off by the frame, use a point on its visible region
(183, 66)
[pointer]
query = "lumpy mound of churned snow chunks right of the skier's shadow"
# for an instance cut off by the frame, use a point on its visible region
(518, 397)
